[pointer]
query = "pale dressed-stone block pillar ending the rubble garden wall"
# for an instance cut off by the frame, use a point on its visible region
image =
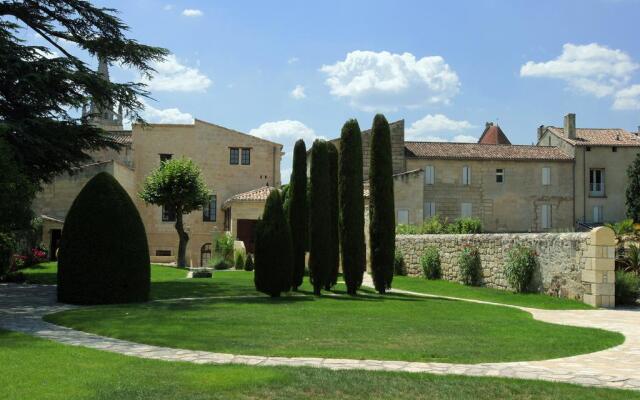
(598, 275)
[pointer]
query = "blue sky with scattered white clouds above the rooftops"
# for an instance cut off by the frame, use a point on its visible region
(288, 69)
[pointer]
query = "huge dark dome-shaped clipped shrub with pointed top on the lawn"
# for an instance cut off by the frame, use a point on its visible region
(104, 256)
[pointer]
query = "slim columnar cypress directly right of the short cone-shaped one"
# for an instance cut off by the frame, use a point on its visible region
(298, 218)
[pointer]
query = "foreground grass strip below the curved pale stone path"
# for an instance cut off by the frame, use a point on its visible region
(44, 370)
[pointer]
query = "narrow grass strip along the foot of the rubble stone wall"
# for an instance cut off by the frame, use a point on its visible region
(454, 289)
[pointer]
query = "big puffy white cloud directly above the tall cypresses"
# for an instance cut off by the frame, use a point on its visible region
(386, 81)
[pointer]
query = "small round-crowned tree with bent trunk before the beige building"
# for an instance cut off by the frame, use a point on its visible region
(177, 185)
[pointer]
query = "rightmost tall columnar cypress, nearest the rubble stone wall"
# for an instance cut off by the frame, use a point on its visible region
(381, 205)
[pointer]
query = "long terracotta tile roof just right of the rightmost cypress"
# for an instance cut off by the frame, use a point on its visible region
(476, 151)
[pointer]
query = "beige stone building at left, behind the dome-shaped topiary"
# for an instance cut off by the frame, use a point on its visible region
(232, 163)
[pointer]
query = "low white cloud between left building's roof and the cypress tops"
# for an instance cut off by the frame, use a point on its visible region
(286, 132)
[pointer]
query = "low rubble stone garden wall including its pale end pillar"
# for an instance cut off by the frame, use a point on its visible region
(571, 265)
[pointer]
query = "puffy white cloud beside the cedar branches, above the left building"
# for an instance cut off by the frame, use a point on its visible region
(172, 76)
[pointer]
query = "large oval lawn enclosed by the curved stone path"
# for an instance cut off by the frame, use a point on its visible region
(391, 327)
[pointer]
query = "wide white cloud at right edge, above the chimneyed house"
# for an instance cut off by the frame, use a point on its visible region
(591, 68)
